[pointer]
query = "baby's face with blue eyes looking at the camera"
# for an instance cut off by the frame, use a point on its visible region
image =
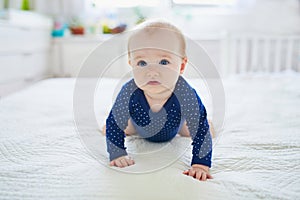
(156, 61)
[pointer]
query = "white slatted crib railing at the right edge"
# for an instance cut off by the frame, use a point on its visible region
(247, 53)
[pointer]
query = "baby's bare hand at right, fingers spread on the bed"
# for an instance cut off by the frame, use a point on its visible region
(199, 172)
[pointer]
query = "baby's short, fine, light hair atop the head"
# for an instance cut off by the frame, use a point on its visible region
(149, 27)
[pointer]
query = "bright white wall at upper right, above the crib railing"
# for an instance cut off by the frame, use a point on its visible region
(264, 16)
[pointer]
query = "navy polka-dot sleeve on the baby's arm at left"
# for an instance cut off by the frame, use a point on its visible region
(117, 122)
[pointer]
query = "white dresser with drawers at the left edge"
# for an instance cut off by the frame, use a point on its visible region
(24, 49)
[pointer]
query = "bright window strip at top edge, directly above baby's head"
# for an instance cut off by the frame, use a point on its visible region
(125, 3)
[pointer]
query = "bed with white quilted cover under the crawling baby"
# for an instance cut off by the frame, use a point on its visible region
(256, 153)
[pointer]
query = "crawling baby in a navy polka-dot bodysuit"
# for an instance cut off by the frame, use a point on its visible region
(158, 102)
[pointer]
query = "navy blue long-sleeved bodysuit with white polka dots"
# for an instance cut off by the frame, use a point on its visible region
(184, 104)
